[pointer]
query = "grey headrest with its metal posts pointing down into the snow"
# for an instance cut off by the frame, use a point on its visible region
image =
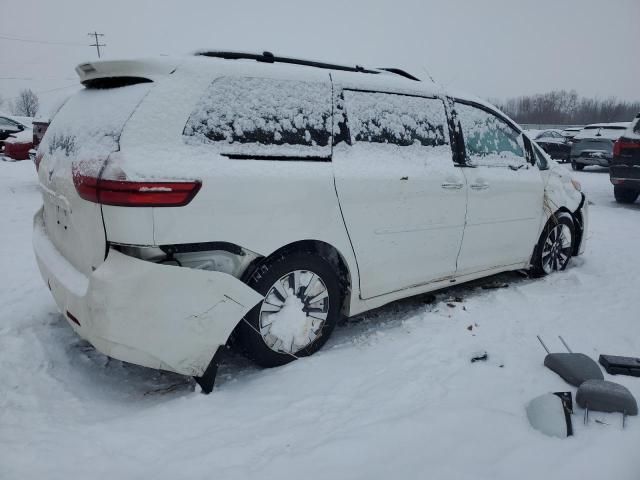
(604, 396)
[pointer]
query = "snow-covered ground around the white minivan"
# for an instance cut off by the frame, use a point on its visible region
(392, 395)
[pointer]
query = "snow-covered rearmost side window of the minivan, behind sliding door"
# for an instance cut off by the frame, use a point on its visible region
(264, 112)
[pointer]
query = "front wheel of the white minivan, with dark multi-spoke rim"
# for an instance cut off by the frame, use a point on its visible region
(555, 246)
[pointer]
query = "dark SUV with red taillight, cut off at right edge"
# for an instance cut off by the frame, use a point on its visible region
(625, 164)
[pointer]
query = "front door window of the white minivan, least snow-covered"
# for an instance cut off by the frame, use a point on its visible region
(488, 139)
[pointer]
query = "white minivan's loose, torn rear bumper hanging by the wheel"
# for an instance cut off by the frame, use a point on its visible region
(159, 316)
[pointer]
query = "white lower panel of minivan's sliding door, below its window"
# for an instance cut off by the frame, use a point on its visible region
(406, 228)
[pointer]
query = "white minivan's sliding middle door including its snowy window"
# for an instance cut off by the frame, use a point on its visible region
(402, 198)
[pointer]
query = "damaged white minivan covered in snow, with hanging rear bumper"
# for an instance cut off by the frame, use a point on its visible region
(259, 198)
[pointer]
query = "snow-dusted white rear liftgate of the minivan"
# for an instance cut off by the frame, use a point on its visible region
(81, 137)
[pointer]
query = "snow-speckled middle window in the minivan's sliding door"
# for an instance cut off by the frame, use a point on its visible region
(396, 119)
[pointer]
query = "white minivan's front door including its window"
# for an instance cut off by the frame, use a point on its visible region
(505, 193)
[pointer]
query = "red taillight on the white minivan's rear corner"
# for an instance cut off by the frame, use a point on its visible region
(126, 193)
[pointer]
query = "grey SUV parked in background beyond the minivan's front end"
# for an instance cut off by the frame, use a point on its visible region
(593, 145)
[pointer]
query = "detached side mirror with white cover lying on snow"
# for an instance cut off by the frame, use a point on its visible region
(551, 414)
